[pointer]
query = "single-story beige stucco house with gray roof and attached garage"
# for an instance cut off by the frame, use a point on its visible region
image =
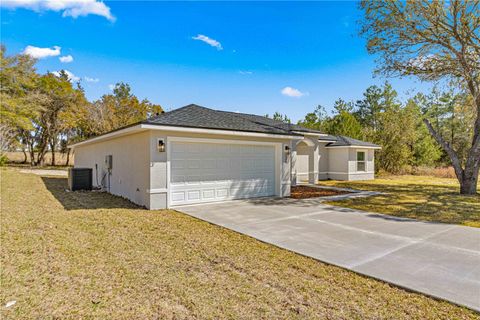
(195, 154)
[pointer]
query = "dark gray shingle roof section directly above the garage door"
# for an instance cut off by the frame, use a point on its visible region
(201, 117)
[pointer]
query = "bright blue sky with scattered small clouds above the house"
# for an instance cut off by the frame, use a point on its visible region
(250, 52)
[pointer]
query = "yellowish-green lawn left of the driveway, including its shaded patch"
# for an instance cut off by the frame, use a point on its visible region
(92, 255)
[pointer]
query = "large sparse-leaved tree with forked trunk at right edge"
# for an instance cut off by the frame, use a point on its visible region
(434, 41)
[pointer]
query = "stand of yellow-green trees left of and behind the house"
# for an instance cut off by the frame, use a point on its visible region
(48, 112)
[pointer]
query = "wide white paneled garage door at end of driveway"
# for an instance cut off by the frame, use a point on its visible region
(206, 172)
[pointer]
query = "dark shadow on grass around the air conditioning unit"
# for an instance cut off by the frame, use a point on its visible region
(84, 199)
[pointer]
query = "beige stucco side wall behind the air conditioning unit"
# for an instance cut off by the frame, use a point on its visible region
(130, 171)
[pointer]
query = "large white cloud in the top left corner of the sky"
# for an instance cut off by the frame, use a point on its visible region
(69, 8)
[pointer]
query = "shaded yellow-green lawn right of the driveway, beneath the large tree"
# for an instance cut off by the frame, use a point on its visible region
(418, 197)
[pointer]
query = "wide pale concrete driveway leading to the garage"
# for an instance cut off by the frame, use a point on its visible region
(440, 260)
